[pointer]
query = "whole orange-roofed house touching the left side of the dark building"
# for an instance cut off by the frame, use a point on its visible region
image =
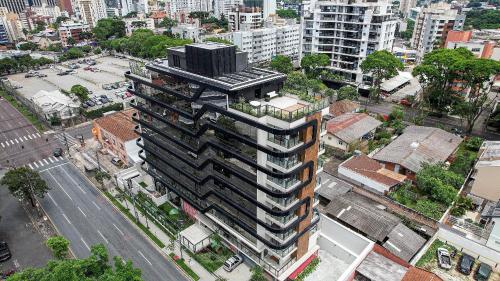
(115, 132)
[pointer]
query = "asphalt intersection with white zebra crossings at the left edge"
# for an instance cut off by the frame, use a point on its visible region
(20, 142)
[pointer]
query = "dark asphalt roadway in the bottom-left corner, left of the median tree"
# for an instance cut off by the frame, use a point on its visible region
(26, 244)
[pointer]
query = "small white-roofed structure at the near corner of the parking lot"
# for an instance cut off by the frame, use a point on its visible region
(54, 104)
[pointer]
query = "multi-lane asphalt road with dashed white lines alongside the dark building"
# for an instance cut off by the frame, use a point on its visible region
(84, 217)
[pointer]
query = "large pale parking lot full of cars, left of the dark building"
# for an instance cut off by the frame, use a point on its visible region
(107, 70)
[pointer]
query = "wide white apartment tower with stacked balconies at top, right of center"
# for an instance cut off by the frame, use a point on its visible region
(347, 31)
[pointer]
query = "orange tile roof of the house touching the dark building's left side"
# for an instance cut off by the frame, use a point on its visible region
(119, 124)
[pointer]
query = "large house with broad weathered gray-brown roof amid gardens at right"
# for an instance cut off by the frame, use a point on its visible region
(417, 146)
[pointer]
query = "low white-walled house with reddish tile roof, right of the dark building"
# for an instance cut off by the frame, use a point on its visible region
(363, 171)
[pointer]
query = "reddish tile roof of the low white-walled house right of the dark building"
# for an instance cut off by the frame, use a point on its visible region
(372, 169)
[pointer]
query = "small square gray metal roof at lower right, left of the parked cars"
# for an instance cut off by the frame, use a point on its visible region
(404, 242)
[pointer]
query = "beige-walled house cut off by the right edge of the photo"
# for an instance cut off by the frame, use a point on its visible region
(486, 184)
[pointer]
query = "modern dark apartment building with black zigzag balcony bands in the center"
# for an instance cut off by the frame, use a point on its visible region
(221, 138)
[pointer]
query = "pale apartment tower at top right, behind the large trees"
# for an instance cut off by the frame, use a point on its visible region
(432, 25)
